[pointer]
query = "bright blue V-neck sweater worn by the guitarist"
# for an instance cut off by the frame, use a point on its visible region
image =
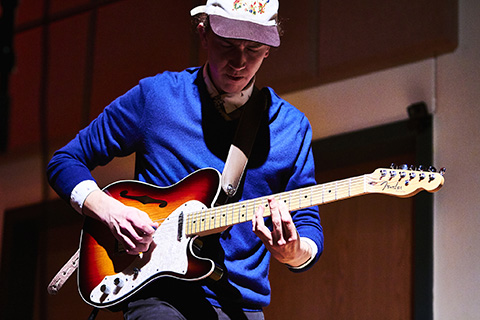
(169, 121)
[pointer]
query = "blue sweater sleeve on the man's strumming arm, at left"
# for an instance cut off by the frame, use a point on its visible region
(114, 133)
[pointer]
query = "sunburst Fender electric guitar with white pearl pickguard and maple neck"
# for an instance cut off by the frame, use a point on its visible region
(107, 275)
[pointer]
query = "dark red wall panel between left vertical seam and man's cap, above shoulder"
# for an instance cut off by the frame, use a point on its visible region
(134, 41)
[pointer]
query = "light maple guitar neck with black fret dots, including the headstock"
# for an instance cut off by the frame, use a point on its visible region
(400, 183)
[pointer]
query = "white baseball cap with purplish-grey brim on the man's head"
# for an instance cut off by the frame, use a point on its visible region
(254, 20)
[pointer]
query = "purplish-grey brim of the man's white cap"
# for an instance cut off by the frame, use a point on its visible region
(245, 30)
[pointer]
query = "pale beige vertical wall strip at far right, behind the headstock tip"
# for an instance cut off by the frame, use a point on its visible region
(457, 146)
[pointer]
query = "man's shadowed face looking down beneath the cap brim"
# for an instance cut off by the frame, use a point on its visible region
(232, 62)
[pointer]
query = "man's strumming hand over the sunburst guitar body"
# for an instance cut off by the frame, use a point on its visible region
(132, 227)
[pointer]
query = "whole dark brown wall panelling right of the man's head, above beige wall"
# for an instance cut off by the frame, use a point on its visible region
(326, 41)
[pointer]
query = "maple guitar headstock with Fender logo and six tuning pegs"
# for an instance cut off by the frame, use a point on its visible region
(404, 181)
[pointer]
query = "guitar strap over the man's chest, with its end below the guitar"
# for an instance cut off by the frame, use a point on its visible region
(235, 165)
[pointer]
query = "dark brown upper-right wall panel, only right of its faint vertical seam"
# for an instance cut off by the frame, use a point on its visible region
(357, 37)
